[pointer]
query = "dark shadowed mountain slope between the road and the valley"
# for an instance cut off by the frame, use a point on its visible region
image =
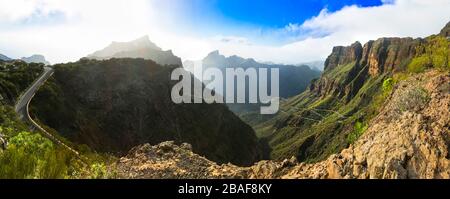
(113, 105)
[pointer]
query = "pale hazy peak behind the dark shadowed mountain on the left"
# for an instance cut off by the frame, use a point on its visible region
(139, 48)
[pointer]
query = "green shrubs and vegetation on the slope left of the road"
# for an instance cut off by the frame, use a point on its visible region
(28, 154)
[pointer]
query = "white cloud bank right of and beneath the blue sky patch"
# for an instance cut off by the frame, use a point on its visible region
(402, 18)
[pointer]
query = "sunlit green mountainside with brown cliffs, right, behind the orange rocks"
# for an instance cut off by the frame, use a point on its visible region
(338, 107)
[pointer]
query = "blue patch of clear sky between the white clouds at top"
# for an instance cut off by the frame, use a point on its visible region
(255, 19)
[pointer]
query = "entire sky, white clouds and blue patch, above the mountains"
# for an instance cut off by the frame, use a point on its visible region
(280, 31)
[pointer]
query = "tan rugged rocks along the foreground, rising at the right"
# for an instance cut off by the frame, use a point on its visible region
(410, 138)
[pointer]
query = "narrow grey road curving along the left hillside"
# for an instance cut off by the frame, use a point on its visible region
(23, 103)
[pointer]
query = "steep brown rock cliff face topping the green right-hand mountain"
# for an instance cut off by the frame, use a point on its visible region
(347, 68)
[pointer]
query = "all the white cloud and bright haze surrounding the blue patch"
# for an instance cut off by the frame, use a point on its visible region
(86, 26)
